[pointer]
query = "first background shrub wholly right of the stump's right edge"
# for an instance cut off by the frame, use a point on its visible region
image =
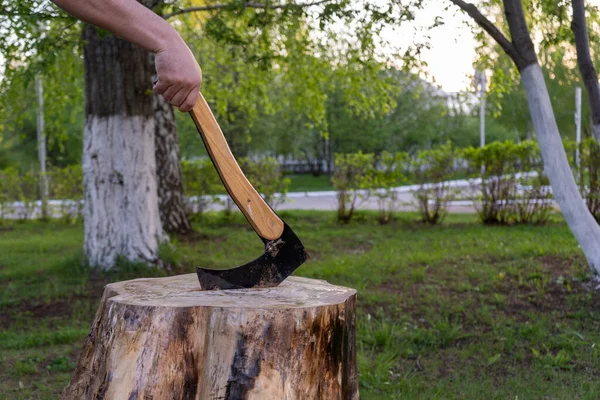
(386, 178)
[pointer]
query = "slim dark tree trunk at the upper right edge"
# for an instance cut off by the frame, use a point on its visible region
(585, 63)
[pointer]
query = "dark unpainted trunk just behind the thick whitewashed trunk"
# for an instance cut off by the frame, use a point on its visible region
(171, 205)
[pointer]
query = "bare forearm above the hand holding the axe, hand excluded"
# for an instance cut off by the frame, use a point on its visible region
(125, 18)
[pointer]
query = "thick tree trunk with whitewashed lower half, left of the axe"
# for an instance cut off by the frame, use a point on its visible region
(121, 202)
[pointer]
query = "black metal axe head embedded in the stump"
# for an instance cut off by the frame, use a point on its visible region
(282, 256)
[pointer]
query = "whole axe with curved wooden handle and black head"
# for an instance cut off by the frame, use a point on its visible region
(284, 251)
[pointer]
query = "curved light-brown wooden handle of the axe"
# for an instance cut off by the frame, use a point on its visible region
(258, 213)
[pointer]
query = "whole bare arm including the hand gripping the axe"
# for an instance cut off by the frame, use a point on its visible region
(179, 76)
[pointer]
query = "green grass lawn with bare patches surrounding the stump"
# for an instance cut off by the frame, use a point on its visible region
(458, 311)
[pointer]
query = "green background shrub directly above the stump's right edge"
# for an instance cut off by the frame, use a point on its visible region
(352, 178)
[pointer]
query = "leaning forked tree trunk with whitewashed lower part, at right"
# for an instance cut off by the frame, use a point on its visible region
(556, 166)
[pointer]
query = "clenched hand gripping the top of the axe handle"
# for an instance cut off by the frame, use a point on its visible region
(179, 76)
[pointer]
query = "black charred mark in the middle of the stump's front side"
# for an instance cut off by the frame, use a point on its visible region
(243, 372)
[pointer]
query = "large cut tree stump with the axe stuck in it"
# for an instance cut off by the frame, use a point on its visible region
(163, 338)
